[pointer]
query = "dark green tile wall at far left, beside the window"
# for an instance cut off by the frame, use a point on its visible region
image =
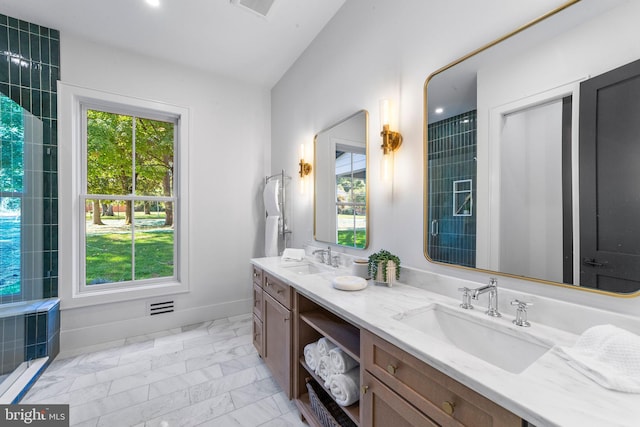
(29, 70)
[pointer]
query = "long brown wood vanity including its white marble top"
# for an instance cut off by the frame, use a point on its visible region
(408, 379)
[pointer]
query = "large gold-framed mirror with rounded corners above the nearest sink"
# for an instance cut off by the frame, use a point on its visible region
(540, 126)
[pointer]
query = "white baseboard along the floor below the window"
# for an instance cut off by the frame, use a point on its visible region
(106, 335)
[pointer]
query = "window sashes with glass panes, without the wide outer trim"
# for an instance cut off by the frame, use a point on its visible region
(128, 200)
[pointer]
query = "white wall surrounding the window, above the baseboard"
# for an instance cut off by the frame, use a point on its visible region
(228, 153)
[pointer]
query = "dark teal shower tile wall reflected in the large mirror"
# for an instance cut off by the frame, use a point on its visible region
(452, 152)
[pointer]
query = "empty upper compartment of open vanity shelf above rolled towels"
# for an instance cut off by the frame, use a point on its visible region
(336, 329)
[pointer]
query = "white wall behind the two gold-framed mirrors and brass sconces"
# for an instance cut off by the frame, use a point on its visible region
(384, 48)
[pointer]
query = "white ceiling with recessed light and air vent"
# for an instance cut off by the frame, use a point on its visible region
(214, 35)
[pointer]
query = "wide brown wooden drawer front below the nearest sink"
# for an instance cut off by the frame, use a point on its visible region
(429, 390)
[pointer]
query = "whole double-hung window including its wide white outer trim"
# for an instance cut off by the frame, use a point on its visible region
(128, 197)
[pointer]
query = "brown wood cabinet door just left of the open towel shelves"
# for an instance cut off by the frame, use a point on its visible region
(276, 349)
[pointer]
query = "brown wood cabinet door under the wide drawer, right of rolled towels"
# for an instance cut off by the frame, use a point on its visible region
(381, 407)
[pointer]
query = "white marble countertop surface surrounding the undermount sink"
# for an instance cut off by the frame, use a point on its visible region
(547, 393)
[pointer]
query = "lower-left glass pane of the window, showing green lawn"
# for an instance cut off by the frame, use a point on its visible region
(108, 242)
